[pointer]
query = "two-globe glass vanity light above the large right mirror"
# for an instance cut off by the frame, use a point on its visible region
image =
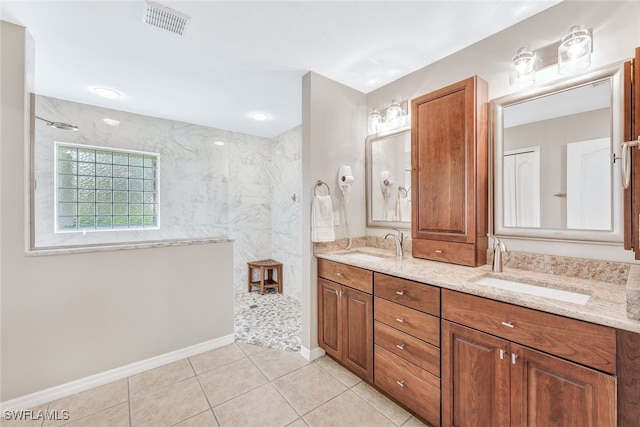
(572, 54)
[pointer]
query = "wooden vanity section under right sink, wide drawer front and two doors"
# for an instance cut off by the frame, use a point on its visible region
(491, 380)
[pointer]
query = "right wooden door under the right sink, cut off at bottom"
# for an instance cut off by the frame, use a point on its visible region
(548, 391)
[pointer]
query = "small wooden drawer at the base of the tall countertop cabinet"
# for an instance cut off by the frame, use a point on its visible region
(452, 252)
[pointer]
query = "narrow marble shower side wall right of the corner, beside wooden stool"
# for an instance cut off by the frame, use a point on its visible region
(286, 208)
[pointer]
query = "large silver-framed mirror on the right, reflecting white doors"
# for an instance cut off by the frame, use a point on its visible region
(553, 149)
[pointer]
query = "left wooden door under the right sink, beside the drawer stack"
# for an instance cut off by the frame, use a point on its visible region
(475, 378)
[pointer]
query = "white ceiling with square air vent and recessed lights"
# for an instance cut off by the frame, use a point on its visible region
(236, 57)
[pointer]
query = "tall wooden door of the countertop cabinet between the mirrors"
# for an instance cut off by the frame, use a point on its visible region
(443, 156)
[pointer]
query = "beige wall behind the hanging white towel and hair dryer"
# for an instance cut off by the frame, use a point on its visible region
(333, 133)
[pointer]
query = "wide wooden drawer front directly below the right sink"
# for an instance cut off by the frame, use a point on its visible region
(582, 342)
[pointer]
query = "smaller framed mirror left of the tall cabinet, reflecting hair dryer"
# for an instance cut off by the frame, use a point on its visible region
(388, 169)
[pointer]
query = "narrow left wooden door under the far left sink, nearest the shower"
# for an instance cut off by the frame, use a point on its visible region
(330, 321)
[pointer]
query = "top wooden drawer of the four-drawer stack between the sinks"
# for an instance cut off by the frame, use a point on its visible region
(412, 294)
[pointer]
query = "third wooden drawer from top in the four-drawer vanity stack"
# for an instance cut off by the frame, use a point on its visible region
(416, 351)
